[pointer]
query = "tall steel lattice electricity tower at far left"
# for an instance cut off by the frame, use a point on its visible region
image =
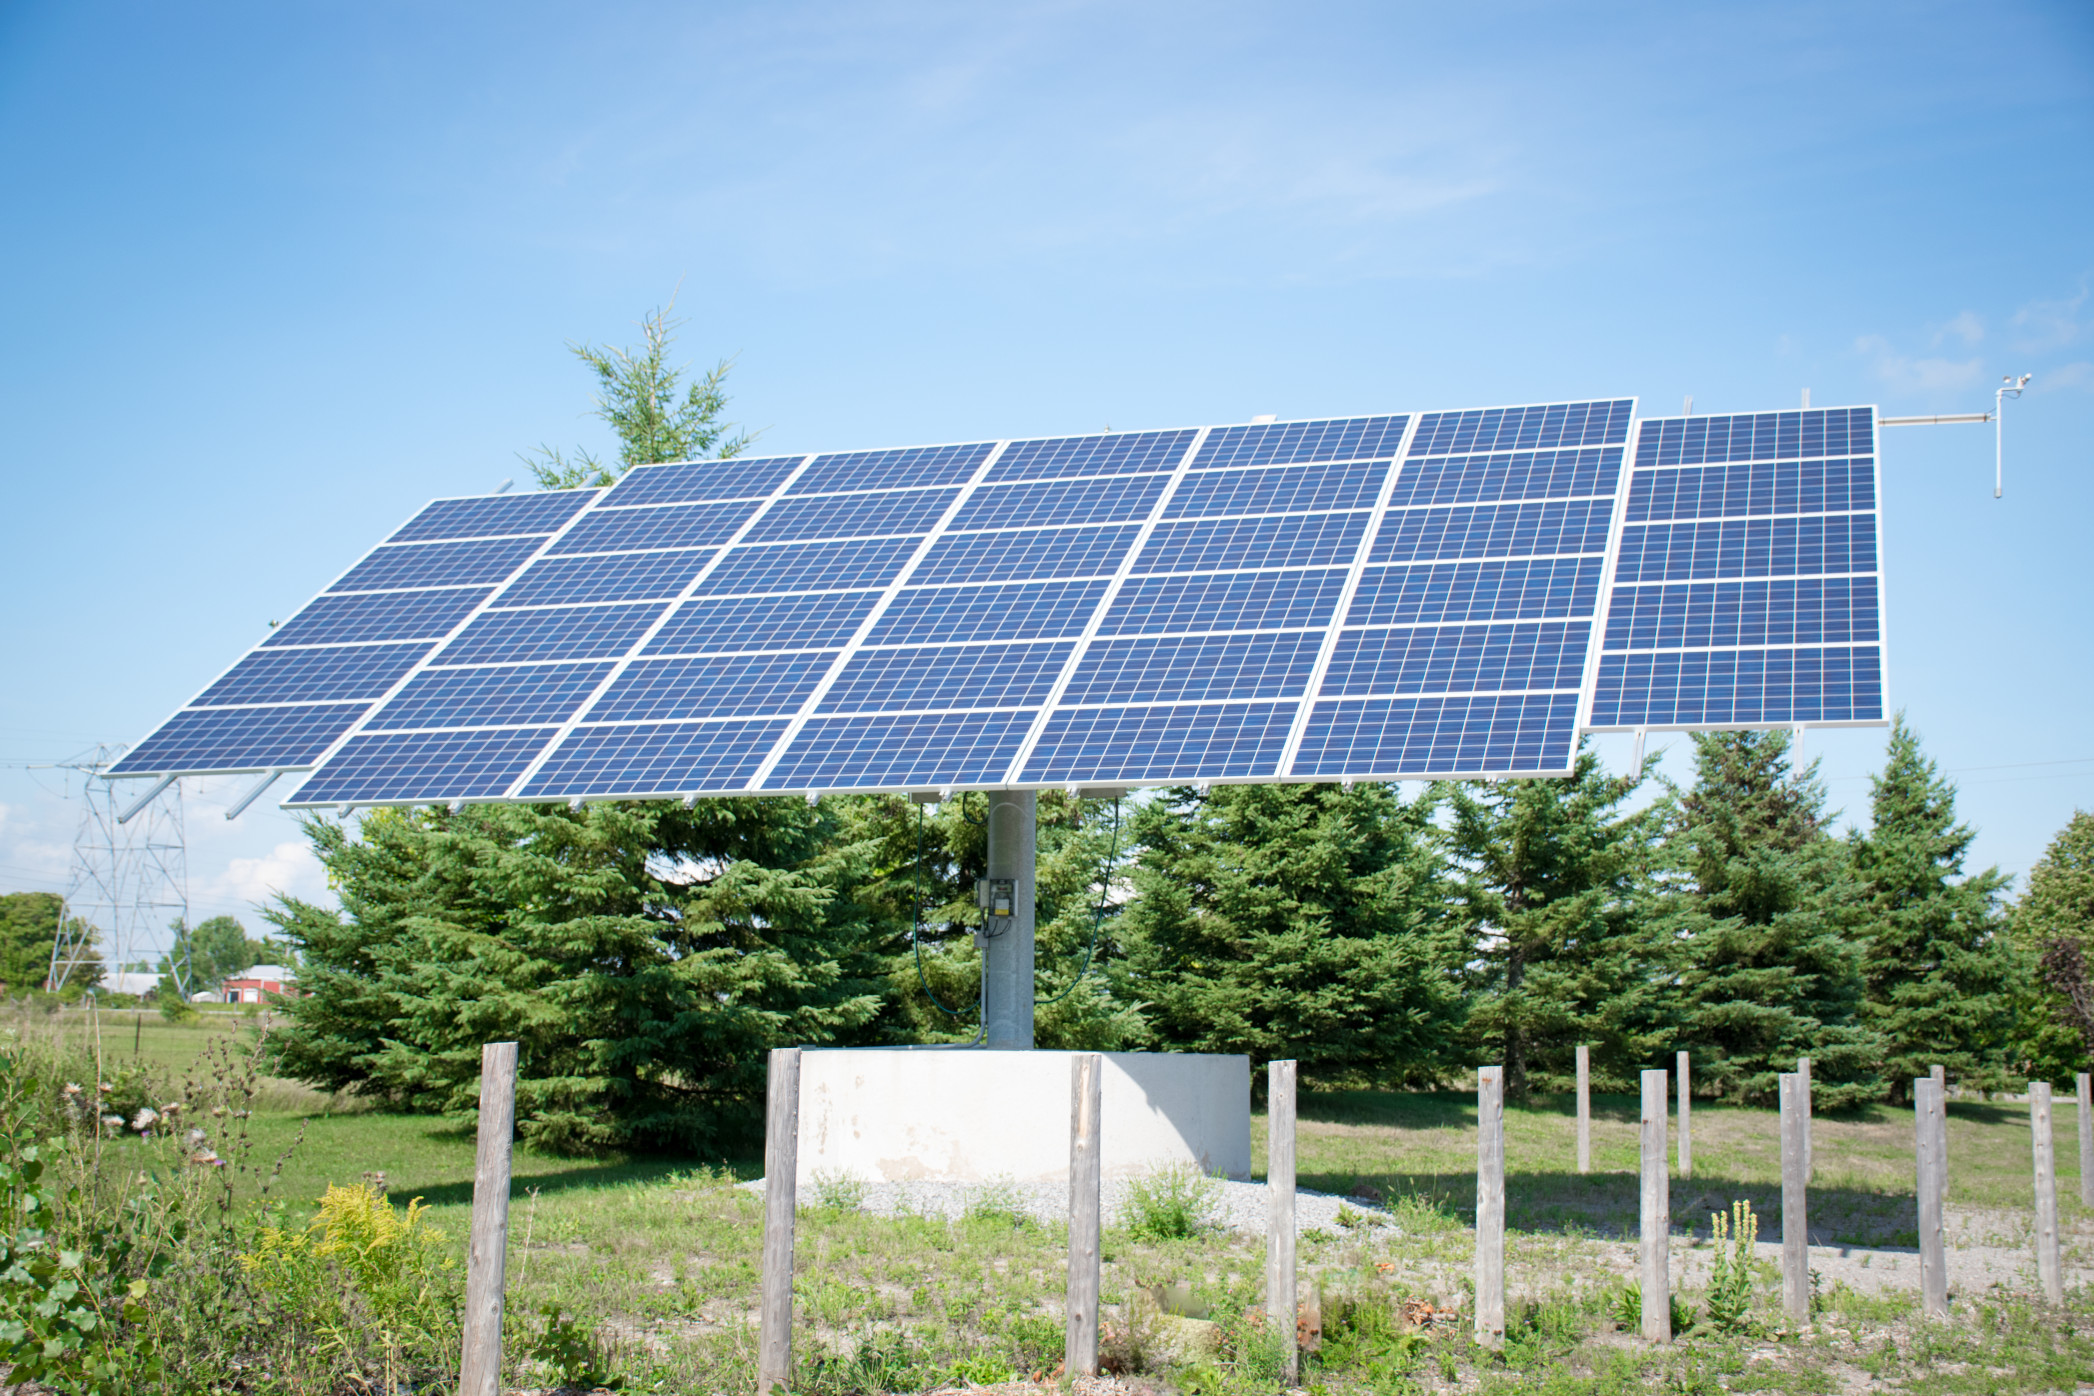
(129, 882)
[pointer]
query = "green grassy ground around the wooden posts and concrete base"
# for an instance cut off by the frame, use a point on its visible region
(659, 1255)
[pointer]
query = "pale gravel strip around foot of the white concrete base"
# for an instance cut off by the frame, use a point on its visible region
(1237, 1207)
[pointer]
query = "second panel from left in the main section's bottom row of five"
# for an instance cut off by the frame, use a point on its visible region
(654, 759)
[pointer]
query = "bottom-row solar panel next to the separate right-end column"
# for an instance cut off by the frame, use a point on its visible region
(1517, 734)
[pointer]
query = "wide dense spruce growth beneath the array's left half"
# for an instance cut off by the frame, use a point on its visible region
(642, 955)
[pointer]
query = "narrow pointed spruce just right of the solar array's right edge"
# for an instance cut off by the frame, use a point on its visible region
(1934, 964)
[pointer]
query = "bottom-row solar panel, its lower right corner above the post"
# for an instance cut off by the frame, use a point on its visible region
(901, 752)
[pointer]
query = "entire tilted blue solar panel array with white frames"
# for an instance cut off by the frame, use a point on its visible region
(1366, 598)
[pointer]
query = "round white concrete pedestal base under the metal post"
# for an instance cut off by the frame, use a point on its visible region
(971, 1117)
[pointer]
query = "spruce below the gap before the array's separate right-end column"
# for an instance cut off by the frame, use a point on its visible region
(1553, 899)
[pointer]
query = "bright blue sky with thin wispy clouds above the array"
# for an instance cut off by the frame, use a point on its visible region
(277, 275)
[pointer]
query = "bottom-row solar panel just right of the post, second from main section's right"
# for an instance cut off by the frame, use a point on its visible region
(1211, 742)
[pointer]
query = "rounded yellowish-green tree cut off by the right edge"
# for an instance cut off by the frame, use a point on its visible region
(2055, 911)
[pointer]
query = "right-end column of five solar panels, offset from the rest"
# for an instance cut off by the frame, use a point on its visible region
(1747, 589)
